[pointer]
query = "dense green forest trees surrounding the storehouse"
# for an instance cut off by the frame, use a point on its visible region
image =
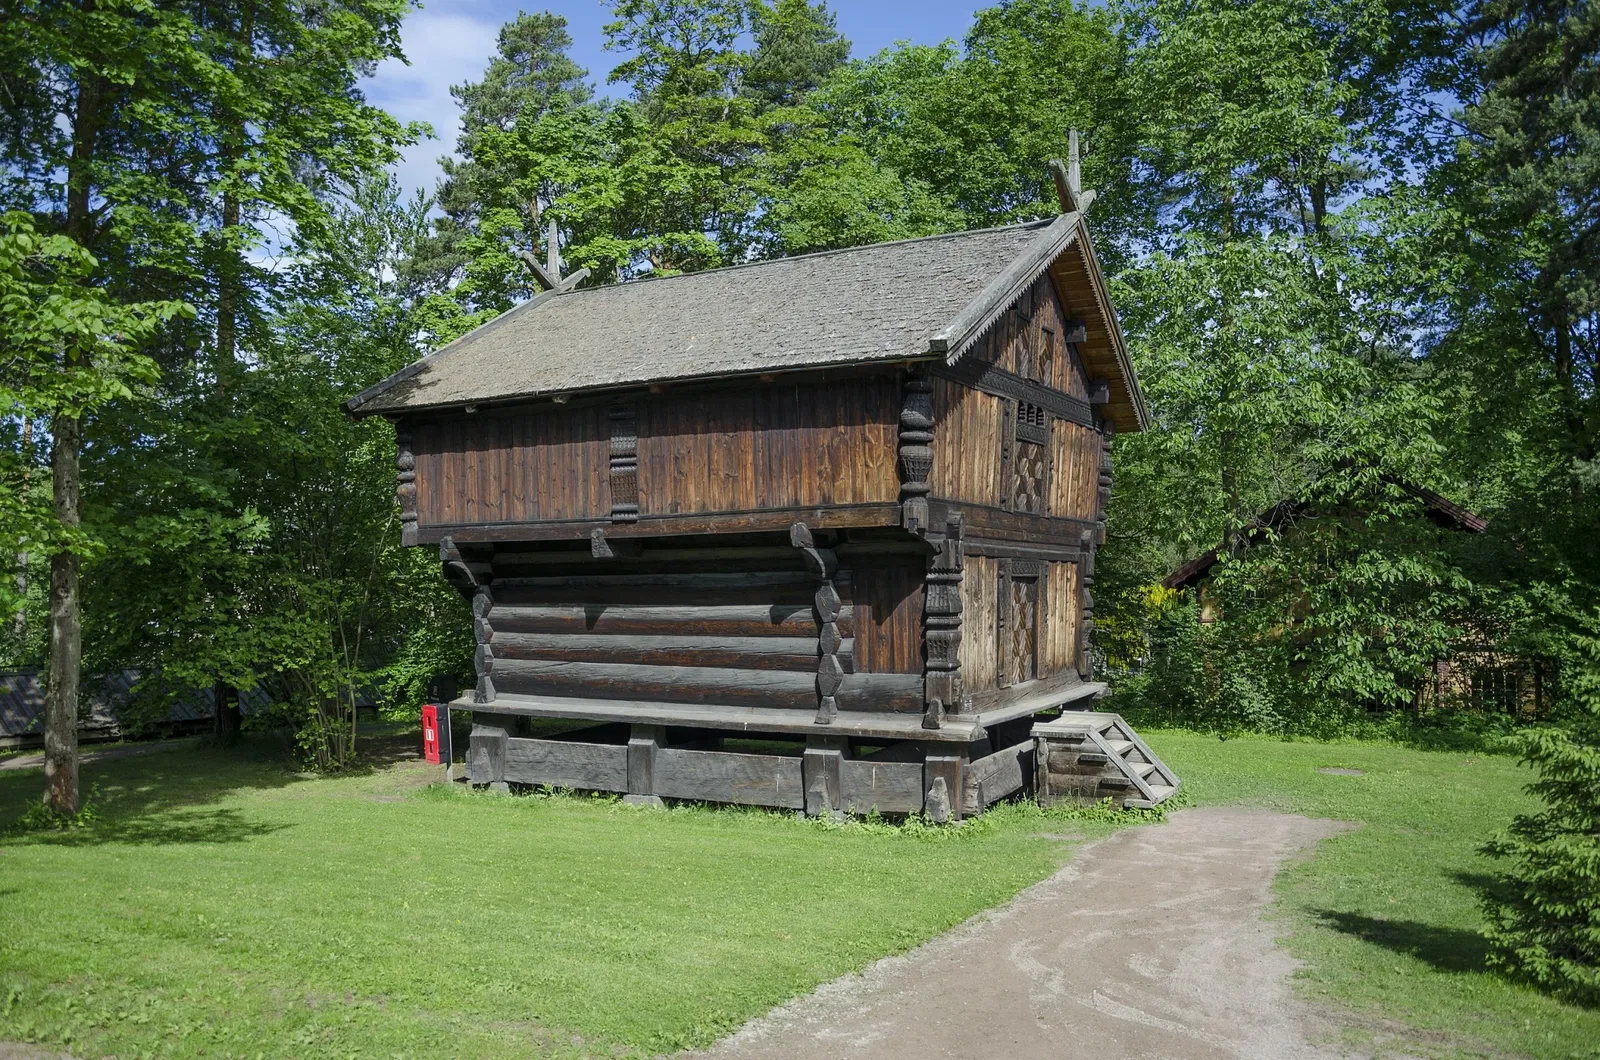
(1354, 244)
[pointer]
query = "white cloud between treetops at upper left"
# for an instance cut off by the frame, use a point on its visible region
(446, 50)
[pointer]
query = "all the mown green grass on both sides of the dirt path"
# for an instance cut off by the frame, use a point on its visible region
(223, 905)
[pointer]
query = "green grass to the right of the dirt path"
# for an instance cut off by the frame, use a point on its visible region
(1386, 917)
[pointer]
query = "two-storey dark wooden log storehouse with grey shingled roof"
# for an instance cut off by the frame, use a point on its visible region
(815, 532)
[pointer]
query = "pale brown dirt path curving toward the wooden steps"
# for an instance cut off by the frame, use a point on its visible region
(1150, 946)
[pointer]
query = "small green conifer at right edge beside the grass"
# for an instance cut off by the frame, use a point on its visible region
(1545, 921)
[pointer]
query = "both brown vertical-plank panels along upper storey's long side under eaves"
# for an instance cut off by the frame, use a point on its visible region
(750, 448)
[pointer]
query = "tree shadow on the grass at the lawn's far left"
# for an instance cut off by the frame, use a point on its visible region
(158, 798)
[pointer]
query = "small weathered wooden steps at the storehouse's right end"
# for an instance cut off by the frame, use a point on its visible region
(1089, 757)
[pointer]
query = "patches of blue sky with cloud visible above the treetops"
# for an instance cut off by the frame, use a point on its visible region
(450, 42)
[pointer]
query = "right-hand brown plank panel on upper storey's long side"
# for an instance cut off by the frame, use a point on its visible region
(778, 446)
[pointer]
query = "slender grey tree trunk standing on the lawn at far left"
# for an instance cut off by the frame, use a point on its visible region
(66, 632)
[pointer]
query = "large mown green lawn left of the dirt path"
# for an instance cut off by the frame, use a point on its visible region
(225, 907)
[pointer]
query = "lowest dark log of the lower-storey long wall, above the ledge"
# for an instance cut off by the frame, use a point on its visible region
(697, 685)
